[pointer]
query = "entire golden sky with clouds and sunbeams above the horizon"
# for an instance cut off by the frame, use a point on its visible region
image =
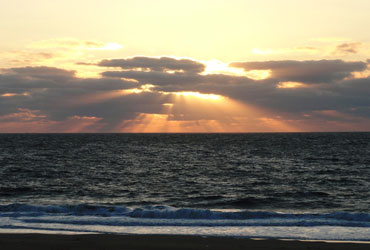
(184, 66)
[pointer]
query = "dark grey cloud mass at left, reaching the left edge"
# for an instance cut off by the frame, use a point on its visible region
(58, 93)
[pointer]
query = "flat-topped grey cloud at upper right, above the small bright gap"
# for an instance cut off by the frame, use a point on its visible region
(322, 71)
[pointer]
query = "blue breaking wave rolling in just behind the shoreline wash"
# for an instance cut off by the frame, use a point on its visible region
(166, 215)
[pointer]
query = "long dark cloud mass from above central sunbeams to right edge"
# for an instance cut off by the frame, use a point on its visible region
(320, 85)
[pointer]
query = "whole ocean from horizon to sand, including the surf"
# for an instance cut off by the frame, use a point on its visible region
(313, 186)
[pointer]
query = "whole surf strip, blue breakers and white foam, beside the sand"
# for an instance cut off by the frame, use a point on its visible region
(342, 226)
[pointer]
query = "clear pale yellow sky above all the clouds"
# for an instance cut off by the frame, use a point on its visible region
(206, 29)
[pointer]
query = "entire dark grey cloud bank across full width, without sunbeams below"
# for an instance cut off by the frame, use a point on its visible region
(59, 94)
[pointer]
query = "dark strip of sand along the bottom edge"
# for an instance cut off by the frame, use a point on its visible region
(136, 242)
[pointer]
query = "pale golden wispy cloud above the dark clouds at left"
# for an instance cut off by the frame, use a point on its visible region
(61, 53)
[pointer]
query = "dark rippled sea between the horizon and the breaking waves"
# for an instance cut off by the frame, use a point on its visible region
(284, 171)
